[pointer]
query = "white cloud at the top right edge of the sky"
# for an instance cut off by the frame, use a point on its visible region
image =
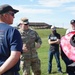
(54, 3)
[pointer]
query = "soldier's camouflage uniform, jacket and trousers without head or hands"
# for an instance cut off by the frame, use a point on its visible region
(30, 57)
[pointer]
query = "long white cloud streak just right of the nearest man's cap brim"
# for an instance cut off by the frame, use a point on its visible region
(26, 10)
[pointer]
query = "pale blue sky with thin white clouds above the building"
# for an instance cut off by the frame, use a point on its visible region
(53, 12)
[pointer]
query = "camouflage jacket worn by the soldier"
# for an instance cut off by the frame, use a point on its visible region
(30, 37)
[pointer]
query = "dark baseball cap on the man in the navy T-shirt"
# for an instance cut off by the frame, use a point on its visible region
(6, 8)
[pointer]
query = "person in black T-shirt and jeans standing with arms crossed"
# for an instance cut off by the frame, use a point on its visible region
(54, 41)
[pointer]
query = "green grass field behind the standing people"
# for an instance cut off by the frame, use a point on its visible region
(43, 52)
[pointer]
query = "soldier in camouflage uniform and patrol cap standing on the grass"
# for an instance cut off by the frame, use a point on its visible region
(31, 42)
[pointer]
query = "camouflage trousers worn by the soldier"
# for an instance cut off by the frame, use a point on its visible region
(32, 64)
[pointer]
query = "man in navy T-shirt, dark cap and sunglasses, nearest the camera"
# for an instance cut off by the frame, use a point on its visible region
(10, 44)
